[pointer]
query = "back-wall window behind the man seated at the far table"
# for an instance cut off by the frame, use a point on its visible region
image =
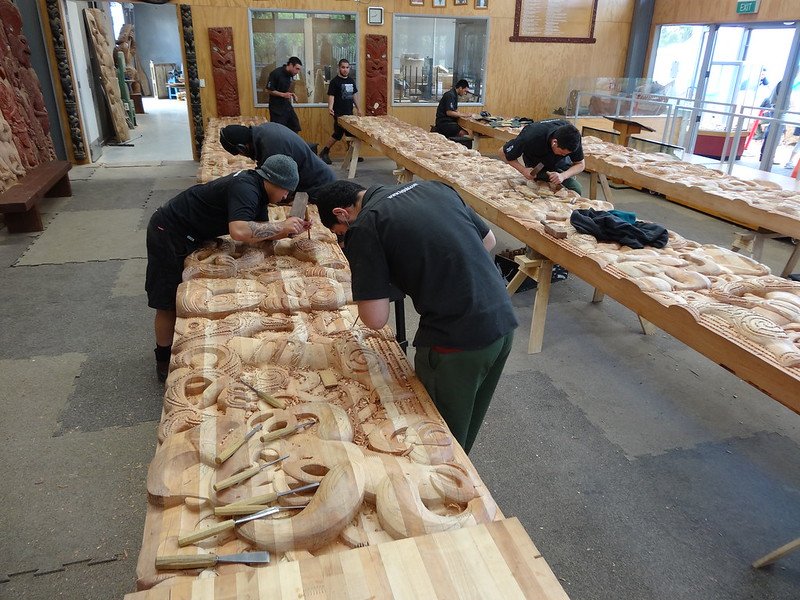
(431, 54)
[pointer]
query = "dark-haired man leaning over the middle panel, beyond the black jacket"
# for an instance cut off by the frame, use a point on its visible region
(552, 152)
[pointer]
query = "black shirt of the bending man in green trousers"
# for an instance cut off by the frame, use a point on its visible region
(424, 240)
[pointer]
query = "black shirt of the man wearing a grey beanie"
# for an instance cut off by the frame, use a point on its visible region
(204, 211)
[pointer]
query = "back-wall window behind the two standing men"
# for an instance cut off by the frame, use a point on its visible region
(320, 40)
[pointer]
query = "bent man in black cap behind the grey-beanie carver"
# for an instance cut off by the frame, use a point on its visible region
(259, 142)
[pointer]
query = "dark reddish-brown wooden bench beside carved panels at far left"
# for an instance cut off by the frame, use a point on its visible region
(20, 203)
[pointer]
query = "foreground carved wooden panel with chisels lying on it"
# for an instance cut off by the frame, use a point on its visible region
(267, 344)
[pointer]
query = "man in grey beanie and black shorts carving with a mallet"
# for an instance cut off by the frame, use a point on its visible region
(235, 204)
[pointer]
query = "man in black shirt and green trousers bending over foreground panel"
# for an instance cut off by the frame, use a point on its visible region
(422, 239)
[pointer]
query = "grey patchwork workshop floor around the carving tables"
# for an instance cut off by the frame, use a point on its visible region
(639, 468)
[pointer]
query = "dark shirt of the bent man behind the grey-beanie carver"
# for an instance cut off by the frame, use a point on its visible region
(273, 138)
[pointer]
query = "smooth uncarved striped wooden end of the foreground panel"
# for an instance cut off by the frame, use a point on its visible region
(494, 560)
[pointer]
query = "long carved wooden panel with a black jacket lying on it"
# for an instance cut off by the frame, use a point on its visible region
(721, 303)
